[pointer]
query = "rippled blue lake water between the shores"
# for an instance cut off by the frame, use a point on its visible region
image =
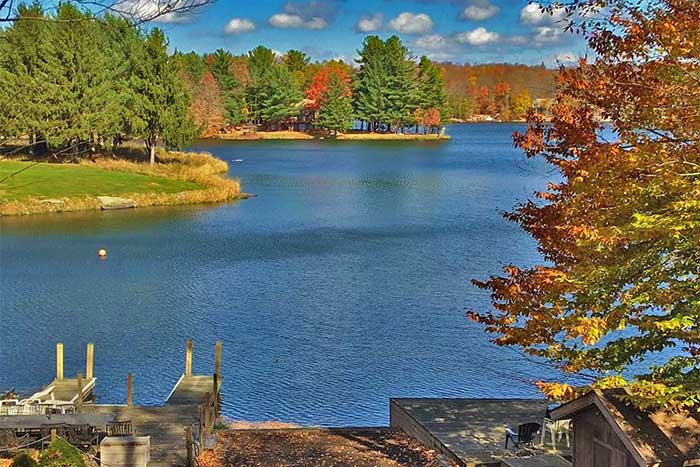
(343, 283)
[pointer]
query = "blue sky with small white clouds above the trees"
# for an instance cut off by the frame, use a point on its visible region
(461, 31)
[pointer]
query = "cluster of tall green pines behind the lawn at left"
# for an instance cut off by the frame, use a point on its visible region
(74, 85)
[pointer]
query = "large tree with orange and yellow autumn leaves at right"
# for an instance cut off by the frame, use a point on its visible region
(618, 299)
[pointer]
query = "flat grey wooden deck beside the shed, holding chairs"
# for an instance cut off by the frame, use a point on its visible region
(467, 431)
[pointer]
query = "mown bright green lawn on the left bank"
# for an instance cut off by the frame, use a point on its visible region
(72, 180)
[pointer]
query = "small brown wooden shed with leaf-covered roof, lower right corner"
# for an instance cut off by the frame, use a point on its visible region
(610, 432)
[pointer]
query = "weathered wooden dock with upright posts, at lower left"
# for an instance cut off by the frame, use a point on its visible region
(183, 422)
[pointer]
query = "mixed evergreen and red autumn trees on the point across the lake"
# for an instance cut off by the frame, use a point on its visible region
(389, 90)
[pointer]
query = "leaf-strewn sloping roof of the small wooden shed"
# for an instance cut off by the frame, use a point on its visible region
(658, 437)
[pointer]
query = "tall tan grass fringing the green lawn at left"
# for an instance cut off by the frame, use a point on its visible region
(193, 169)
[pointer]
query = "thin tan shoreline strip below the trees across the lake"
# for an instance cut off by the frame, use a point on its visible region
(302, 136)
